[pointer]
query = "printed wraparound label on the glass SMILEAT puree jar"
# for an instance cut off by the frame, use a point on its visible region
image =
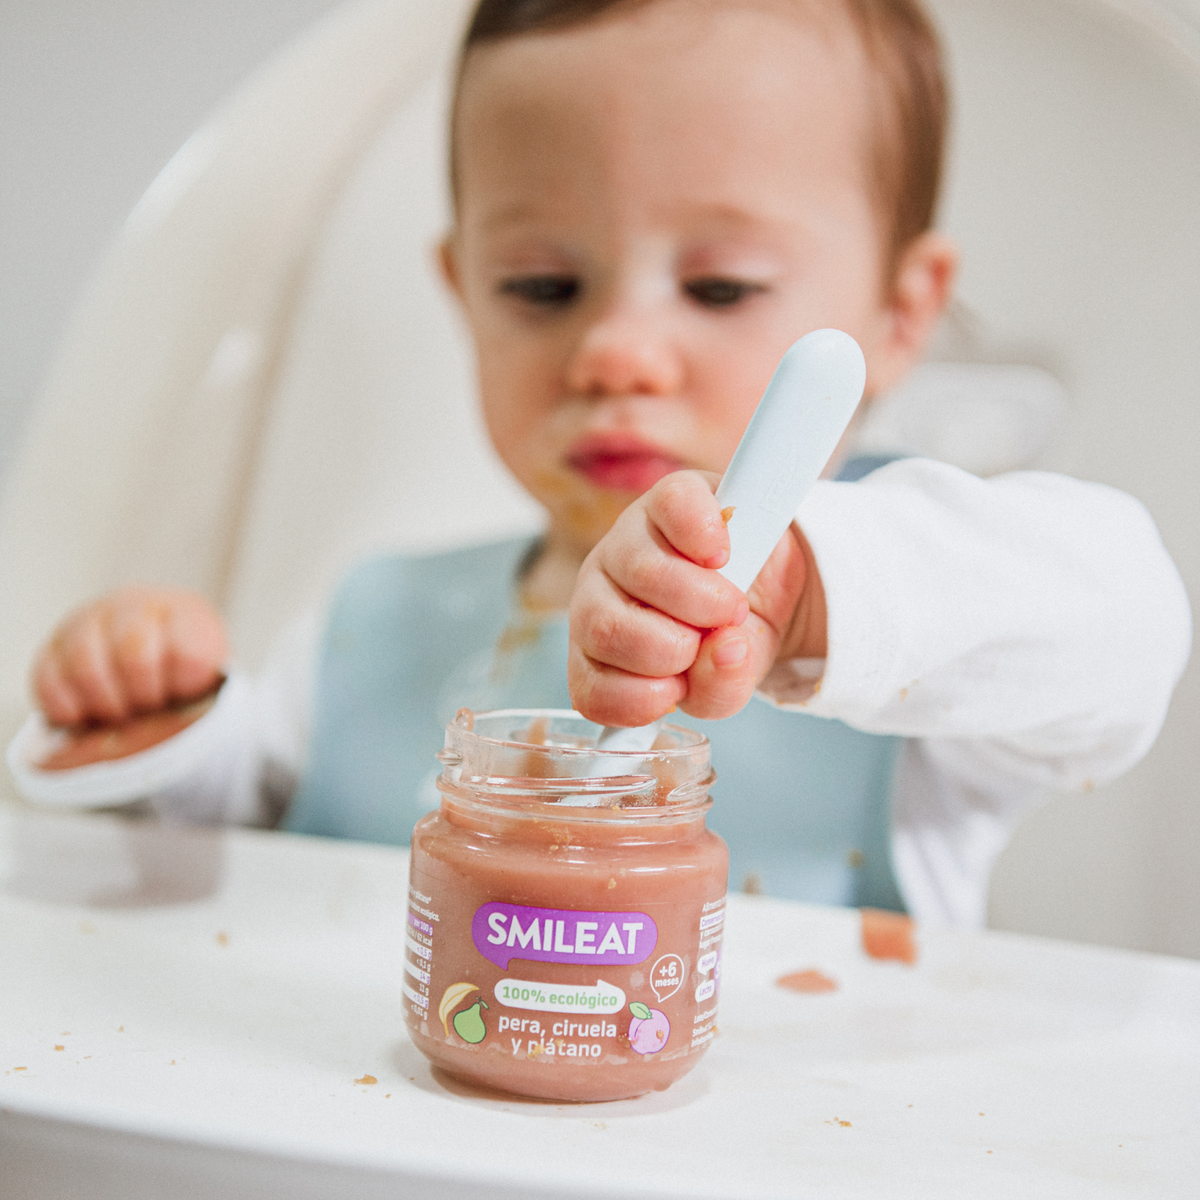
(649, 992)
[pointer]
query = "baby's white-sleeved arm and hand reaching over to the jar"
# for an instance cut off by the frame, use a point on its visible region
(1024, 633)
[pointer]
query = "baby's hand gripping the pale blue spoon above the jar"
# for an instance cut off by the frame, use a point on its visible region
(655, 626)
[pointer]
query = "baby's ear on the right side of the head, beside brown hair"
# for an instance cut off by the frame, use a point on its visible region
(921, 291)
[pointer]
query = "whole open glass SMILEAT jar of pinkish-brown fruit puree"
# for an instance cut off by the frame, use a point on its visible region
(565, 925)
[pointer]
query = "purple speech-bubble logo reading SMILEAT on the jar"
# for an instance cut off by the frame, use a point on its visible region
(506, 932)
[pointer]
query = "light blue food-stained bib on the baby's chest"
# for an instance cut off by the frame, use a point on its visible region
(803, 802)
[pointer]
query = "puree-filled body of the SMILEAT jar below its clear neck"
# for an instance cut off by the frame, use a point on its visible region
(567, 1004)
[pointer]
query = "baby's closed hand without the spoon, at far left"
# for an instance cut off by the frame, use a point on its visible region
(135, 651)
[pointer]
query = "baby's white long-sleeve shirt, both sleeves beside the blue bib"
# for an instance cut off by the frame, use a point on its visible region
(1024, 633)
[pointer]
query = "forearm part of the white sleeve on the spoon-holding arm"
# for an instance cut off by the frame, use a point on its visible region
(1033, 615)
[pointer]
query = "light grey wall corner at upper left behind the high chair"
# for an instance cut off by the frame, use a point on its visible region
(95, 97)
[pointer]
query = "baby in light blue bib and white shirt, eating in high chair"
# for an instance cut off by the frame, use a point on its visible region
(653, 200)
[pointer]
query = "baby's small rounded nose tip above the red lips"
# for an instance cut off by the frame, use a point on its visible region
(626, 356)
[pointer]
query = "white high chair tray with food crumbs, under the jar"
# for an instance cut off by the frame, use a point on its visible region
(191, 1013)
